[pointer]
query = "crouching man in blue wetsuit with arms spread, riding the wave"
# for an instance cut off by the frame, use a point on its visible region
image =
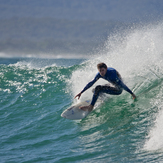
(112, 76)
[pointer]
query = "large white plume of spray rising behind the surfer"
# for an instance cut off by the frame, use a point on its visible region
(131, 53)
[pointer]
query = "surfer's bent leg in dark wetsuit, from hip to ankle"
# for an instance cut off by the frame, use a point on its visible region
(105, 89)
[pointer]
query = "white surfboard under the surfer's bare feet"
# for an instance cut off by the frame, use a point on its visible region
(75, 113)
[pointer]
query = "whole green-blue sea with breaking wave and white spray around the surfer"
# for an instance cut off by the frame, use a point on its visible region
(35, 91)
